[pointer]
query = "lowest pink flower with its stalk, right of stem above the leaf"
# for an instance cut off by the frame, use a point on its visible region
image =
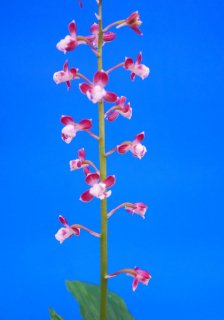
(139, 276)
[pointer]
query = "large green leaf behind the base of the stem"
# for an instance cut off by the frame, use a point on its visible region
(88, 296)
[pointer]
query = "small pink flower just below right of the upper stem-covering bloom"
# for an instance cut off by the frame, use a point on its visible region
(120, 109)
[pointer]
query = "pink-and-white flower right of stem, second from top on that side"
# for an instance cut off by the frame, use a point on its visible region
(136, 68)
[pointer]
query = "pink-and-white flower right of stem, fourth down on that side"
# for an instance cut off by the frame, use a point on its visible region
(136, 148)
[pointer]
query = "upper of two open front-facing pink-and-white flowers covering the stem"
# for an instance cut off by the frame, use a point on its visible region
(95, 92)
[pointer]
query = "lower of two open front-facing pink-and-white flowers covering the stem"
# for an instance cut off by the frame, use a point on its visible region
(98, 189)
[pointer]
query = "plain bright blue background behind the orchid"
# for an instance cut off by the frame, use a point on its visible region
(180, 108)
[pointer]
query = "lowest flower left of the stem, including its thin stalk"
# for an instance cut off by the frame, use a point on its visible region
(68, 231)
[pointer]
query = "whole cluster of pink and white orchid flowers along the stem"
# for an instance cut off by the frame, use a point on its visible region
(96, 92)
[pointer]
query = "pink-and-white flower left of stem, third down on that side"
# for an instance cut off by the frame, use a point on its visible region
(71, 128)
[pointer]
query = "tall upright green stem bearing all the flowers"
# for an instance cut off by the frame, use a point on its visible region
(103, 204)
